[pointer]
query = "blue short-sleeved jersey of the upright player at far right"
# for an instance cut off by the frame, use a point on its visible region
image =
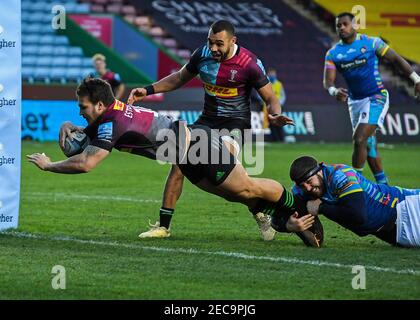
(358, 63)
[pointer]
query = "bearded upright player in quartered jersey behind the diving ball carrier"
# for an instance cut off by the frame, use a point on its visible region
(228, 72)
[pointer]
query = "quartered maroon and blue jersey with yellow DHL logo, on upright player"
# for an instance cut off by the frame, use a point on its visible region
(228, 84)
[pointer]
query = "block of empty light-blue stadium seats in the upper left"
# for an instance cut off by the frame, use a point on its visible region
(46, 56)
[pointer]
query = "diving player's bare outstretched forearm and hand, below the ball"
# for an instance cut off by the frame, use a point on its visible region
(80, 163)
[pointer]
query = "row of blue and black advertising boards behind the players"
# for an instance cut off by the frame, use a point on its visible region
(41, 121)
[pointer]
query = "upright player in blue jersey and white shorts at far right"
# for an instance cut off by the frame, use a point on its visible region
(356, 56)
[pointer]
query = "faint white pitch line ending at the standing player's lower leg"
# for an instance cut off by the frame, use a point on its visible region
(58, 196)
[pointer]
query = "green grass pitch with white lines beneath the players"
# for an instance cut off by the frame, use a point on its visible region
(89, 224)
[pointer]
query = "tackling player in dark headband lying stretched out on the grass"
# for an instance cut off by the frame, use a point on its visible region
(343, 195)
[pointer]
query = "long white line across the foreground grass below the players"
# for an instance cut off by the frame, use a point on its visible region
(236, 255)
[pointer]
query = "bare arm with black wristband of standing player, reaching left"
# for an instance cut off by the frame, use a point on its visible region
(169, 83)
